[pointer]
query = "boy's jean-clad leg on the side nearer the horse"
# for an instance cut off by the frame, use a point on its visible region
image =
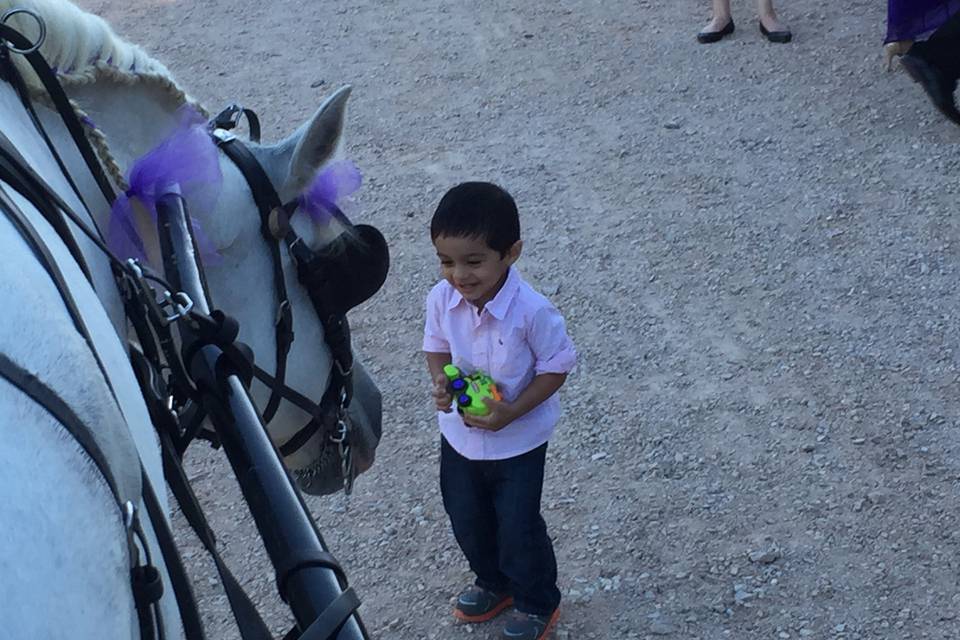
(469, 504)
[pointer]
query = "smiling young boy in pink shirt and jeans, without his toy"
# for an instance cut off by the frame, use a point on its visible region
(483, 316)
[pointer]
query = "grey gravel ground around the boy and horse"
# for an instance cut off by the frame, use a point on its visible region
(754, 248)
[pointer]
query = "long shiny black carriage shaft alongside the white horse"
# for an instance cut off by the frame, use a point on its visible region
(294, 545)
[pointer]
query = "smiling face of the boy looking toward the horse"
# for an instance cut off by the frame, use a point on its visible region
(473, 268)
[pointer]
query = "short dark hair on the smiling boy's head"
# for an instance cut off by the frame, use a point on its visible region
(478, 210)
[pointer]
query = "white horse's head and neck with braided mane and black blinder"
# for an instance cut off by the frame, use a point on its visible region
(129, 104)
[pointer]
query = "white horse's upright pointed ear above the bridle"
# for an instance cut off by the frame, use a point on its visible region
(314, 143)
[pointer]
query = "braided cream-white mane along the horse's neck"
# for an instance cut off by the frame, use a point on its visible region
(82, 49)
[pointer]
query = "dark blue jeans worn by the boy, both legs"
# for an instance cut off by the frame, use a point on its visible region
(494, 507)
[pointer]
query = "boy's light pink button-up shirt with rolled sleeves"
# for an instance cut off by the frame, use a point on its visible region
(516, 337)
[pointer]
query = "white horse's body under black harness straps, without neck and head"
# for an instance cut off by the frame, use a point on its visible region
(63, 556)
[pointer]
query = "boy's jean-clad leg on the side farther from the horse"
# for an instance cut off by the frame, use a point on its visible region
(526, 552)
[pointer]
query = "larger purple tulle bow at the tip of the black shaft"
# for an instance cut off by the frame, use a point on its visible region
(188, 158)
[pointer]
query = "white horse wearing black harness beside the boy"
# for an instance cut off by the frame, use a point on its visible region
(64, 559)
